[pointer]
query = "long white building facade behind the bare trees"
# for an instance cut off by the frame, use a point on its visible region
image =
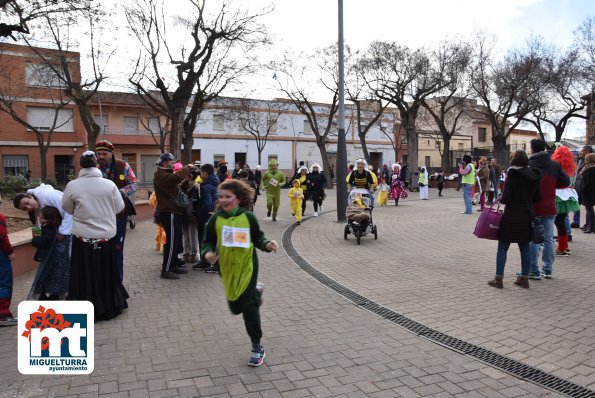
(220, 136)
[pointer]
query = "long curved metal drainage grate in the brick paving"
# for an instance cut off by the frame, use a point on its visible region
(508, 365)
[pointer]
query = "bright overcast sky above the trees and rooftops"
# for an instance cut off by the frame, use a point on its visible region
(307, 25)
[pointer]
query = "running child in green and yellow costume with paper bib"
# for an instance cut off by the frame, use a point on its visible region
(230, 237)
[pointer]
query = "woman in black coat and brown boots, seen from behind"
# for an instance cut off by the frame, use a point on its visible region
(521, 190)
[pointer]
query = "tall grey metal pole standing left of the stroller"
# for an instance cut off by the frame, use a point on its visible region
(341, 167)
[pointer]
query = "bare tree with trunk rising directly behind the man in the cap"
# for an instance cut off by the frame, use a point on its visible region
(58, 31)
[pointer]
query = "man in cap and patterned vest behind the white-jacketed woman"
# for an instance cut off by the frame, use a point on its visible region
(120, 172)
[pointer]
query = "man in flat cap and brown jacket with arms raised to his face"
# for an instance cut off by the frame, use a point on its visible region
(167, 184)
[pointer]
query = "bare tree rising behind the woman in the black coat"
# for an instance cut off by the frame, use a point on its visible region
(508, 89)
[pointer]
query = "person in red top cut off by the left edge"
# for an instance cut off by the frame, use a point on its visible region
(6, 259)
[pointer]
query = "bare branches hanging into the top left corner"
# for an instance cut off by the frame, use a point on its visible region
(16, 16)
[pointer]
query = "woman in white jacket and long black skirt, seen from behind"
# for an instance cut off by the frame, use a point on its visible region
(94, 202)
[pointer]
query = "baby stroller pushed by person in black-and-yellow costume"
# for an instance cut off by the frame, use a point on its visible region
(359, 215)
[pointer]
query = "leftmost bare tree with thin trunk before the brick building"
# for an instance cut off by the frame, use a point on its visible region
(11, 103)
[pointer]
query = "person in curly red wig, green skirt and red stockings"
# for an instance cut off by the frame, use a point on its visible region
(566, 198)
